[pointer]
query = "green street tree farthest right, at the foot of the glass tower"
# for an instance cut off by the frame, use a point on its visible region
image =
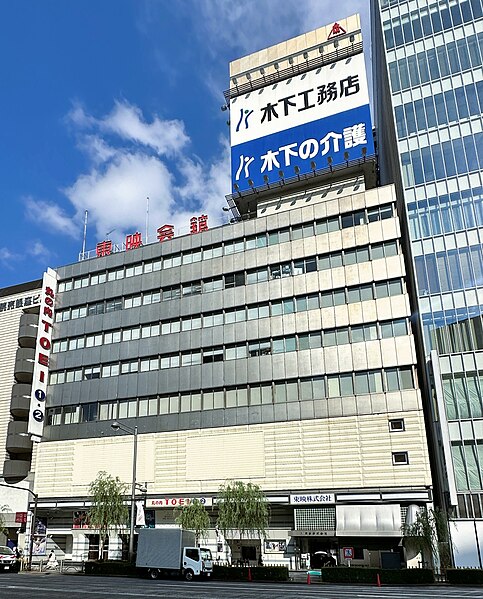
(429, 535)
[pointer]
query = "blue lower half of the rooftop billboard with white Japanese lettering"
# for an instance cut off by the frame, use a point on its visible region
(332, 140)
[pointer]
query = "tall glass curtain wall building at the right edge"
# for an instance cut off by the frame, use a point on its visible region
(428, 90)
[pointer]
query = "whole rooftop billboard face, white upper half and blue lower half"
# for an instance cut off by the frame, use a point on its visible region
(307, 122)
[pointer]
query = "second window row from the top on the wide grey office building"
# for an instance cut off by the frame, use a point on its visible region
(242, 278)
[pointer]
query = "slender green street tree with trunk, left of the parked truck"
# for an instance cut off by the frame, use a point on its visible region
(108, 511)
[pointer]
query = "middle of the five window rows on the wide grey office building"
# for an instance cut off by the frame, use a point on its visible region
(313, 301)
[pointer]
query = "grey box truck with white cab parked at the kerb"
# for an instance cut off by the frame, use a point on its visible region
(172, 551)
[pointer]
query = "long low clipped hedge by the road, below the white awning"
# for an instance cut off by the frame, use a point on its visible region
(369, 575)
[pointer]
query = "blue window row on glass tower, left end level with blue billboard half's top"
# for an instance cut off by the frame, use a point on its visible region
(439, 109)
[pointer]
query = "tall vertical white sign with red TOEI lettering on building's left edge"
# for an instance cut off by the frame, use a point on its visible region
(43, 346)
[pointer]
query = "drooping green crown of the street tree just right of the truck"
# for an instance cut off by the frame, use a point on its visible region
(243, 508)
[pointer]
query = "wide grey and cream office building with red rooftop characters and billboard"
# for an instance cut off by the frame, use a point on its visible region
(278, 348)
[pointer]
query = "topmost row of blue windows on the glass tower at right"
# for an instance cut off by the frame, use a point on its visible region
(438, 16)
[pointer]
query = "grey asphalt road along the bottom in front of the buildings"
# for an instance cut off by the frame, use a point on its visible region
(58, 586)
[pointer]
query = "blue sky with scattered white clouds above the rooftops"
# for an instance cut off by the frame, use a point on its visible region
(106, 102)
